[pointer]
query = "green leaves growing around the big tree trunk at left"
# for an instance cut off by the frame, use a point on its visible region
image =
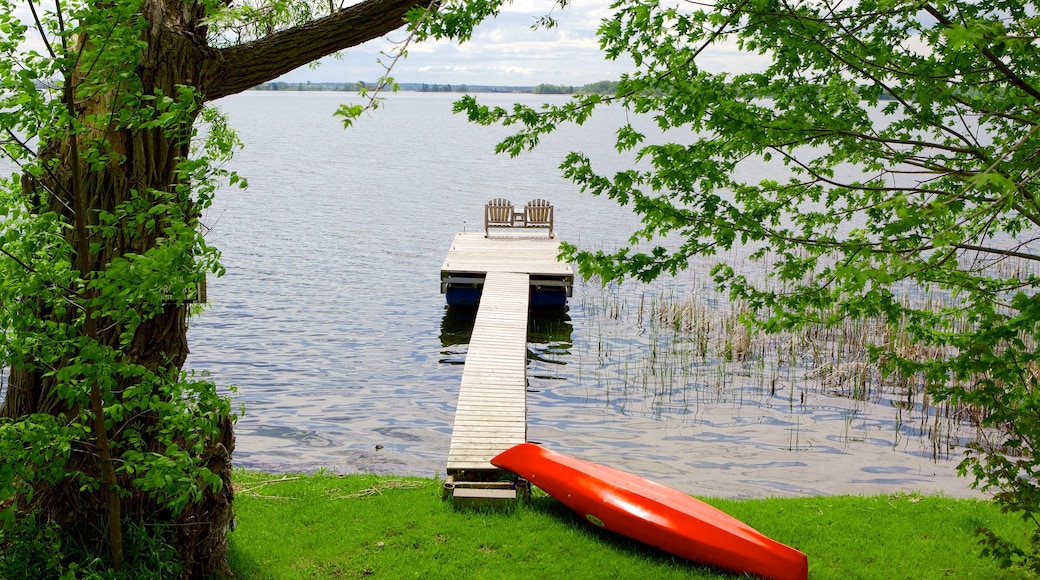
(49, 303)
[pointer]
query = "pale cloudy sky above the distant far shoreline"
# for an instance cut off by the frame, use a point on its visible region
(504, 51)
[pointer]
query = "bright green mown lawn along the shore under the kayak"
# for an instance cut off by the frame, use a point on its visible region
(327, 526)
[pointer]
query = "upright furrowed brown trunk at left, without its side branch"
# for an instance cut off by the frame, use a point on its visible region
(144, 164)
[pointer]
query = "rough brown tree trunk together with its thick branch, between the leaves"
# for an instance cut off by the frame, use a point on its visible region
(144, 162)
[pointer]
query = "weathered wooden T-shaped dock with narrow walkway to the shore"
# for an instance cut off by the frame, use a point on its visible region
(506, 274)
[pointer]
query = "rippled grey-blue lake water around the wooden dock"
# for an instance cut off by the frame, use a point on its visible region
(331, 325)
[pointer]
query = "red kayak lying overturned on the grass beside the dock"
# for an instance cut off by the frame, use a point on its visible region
(654, 514)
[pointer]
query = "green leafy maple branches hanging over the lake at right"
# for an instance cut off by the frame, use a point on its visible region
(902, 140)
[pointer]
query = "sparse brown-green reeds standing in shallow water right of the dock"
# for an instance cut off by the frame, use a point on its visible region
(690, 346)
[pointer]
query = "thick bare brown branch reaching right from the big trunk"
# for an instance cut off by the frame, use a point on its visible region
(237, 69)
